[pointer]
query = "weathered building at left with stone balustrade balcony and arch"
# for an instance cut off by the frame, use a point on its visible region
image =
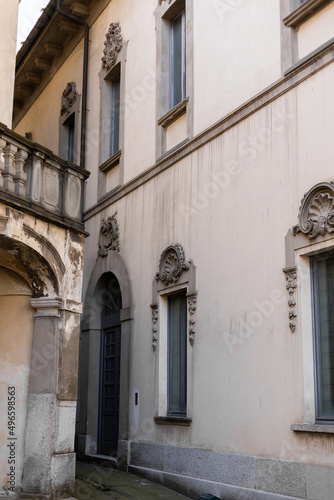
(42, 240)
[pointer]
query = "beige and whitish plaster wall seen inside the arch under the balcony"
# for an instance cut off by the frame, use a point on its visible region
(15, 355)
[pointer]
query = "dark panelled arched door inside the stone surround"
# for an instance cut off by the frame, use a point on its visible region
(110, 365)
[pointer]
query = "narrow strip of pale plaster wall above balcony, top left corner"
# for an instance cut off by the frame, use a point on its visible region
(8, 30)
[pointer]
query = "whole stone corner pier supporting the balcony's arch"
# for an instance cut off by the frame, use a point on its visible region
(49, 461)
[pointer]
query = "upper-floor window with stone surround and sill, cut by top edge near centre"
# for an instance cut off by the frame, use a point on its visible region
(174, 96)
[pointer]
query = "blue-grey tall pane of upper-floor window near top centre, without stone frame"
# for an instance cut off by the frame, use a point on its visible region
(177, 59)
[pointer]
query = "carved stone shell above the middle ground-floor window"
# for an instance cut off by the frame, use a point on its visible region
(172, 264)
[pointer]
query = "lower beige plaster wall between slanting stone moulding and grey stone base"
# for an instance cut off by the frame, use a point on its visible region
(248, 394)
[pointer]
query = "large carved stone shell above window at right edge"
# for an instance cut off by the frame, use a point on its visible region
(316, 213)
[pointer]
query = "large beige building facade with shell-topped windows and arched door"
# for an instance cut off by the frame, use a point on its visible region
(206, 336)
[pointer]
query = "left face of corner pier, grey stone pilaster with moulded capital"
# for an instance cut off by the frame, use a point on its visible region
(41, 413)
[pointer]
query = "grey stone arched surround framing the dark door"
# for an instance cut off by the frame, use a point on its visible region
(90, 351)
